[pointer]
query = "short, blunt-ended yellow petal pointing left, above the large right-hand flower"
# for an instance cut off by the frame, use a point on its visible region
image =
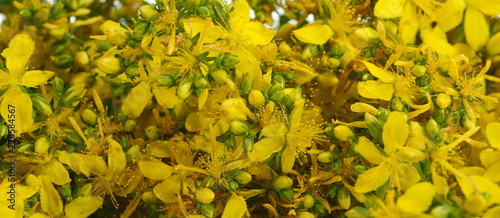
(376, 90)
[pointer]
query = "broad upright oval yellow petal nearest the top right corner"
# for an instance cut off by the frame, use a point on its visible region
(476, 28)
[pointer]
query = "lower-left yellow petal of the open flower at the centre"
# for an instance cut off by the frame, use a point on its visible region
(264, 148)
